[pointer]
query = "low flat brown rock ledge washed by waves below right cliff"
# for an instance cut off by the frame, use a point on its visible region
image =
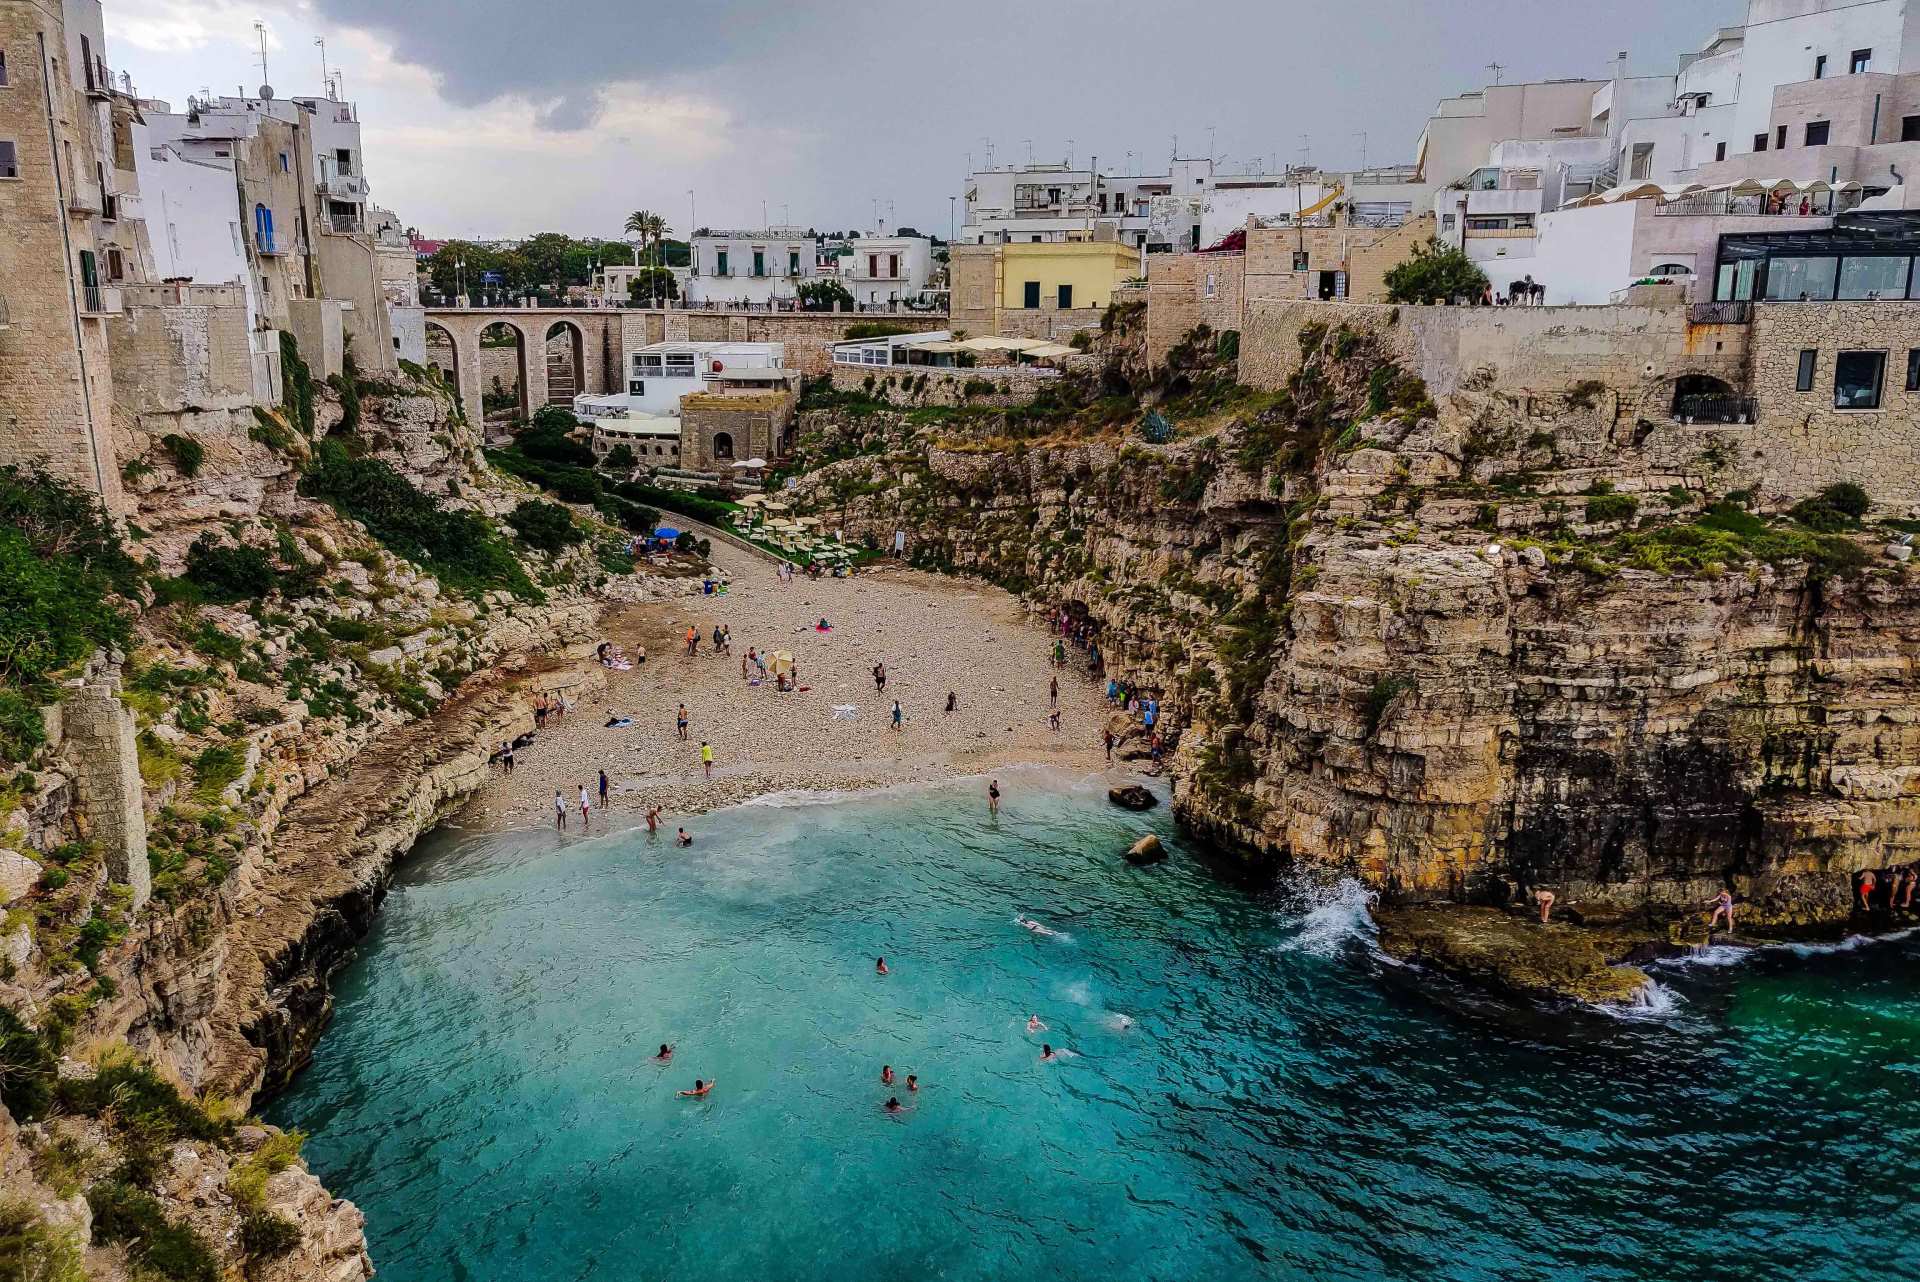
(1516, 955)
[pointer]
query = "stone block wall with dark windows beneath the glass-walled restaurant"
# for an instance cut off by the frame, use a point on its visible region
(1800, 442)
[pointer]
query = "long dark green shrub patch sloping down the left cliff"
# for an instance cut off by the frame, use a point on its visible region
(458, 548)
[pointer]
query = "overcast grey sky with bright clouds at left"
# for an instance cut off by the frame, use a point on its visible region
(504, 118)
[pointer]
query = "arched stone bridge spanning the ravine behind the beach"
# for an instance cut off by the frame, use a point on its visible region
(602, 337)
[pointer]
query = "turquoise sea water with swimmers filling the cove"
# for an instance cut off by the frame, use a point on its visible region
(1284, 1104)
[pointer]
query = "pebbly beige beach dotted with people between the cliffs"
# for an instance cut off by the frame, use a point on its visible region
(934, 636)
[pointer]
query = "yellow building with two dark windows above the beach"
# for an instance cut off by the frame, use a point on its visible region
(1038, 291)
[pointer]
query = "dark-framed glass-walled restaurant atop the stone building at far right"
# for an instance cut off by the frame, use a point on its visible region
(1861, 258)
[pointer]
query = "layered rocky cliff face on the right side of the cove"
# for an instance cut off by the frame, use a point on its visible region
(1464, 650)
